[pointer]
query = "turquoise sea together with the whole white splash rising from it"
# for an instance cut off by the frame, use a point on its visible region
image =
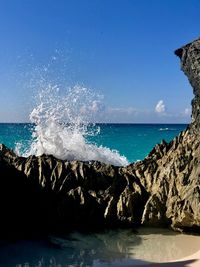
(61, 126)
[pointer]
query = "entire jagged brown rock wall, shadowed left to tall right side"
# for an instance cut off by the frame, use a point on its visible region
(162, 190)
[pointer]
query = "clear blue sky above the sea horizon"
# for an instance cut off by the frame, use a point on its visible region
(122, 49)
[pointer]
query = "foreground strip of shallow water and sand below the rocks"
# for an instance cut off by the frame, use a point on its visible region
(149, 247)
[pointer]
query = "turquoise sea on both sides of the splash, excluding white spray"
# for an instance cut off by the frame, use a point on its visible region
(134, 141)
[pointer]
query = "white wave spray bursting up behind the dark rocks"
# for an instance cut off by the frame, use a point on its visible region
(63, 123)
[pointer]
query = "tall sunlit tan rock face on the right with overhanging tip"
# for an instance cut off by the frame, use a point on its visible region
(171, 172)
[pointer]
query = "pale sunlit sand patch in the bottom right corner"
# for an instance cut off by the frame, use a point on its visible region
(163, 248)
